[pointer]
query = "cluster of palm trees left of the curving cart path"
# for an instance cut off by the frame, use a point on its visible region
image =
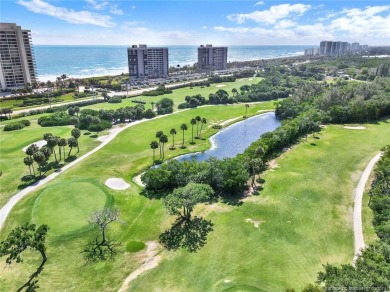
(41, 155)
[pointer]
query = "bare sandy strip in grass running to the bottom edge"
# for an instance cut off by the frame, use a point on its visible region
(151, 261)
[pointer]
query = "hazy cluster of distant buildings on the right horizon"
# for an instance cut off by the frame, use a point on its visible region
(331, 48)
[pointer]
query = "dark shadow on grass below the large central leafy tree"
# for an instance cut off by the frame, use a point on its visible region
(190, 234)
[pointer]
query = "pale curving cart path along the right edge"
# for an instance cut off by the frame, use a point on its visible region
(357, 211)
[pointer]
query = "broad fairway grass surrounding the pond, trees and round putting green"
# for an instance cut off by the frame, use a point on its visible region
(305, 210)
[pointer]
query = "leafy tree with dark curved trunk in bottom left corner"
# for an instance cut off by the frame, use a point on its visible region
(20, 239)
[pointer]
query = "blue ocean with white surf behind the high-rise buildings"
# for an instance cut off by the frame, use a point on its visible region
(88, 61)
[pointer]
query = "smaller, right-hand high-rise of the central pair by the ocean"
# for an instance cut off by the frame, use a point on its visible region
(212, 58)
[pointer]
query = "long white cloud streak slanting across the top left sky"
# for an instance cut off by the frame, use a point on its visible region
(68, 15)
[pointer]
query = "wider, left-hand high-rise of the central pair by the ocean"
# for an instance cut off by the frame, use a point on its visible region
(147, 62)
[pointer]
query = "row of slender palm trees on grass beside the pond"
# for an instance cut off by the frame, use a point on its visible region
(162, 138)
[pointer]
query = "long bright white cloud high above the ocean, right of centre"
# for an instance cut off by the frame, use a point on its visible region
(272, 15)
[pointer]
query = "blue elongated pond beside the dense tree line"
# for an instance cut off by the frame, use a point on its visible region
(236, 138)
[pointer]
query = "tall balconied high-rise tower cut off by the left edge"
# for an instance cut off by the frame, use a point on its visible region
(17, 63)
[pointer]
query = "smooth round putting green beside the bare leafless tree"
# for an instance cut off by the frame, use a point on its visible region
(65, 207)
